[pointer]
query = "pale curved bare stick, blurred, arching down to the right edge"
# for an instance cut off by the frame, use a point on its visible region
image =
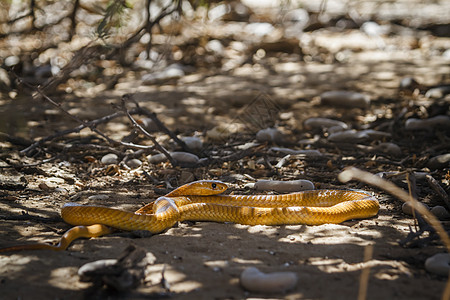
(354, 173)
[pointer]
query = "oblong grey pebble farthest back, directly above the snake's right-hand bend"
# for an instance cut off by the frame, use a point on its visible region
(345, 99)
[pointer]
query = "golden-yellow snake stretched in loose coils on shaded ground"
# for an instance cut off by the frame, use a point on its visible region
(204, 201)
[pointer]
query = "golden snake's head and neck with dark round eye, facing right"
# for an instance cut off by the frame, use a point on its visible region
(199, 188)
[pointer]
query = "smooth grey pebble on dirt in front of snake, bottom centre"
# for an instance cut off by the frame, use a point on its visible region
(254, 280)
